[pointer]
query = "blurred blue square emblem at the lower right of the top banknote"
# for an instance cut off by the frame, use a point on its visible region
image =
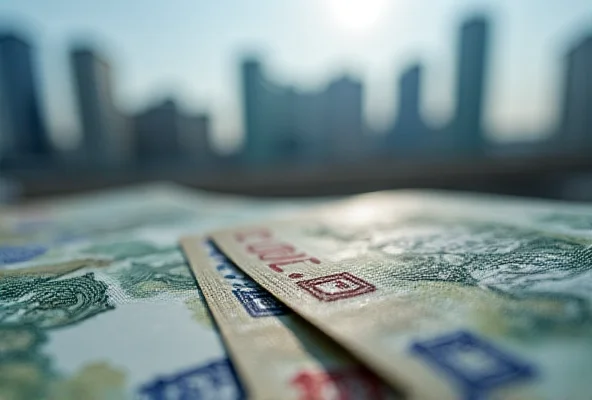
(476, 365)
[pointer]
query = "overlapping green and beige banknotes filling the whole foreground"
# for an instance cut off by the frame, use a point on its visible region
(161, 292)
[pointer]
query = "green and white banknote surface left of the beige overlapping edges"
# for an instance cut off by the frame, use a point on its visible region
(97, 301)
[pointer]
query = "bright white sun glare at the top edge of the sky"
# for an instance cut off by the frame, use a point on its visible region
(356, 15)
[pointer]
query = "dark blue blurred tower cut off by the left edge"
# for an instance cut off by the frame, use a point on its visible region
(23, 133)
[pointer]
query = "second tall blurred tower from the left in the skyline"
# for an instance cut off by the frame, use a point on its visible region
(105, 139)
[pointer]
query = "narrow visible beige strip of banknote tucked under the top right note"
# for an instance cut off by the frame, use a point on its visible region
(276, 352)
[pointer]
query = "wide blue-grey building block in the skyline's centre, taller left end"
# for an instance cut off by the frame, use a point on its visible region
(283, 124)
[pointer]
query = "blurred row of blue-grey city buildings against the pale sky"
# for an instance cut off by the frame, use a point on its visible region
(283, 125)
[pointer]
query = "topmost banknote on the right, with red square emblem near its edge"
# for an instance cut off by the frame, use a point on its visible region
(444, 295)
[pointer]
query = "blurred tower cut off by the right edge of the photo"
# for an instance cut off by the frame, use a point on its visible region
(576, 119)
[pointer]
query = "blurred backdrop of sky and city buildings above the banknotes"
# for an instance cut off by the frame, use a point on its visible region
(297, 98)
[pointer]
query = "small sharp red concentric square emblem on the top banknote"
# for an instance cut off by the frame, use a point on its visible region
(337, 286)
